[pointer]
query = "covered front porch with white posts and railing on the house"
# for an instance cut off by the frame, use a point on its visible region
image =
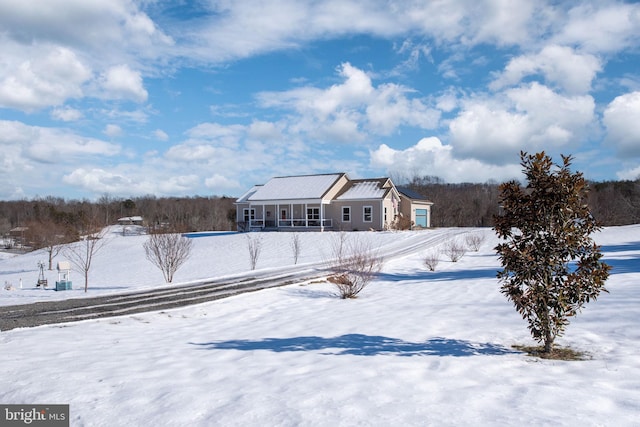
(286, 216)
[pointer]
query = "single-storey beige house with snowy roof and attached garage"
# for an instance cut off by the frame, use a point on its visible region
(327, 202)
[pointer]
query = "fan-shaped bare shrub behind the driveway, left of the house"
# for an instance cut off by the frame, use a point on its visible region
(168, 251)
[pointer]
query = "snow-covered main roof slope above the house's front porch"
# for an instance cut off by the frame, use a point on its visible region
(295, 187)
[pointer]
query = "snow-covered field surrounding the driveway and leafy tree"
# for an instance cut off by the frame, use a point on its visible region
(417, 348)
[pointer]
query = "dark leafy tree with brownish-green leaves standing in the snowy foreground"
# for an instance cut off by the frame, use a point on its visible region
(551, 265)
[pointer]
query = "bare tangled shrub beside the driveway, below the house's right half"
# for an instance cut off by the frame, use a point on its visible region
(354, 266)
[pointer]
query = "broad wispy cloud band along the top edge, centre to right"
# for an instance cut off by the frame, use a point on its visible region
(288, 24)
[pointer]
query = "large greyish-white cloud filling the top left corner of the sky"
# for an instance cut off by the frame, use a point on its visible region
(55, 51)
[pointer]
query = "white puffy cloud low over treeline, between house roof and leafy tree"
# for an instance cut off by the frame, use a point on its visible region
(429, 157)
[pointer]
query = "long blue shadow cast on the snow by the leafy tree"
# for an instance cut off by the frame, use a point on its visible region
(362, 345)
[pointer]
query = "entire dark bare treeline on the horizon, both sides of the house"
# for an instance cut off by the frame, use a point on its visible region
(455, 205)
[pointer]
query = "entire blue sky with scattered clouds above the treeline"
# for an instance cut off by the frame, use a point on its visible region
(184, 98)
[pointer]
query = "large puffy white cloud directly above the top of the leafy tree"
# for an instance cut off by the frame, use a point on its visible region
(529, 118)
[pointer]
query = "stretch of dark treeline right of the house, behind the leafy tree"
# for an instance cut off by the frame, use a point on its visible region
(474, 205)
